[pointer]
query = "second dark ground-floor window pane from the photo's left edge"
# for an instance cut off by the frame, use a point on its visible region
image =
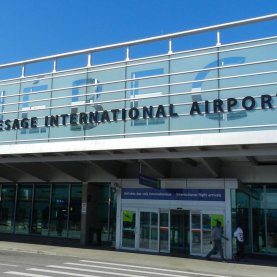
(23, 209)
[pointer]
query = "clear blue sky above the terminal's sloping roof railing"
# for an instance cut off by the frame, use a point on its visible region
(36, 28)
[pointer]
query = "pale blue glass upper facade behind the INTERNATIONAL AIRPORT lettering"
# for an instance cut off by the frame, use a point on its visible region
(216, 89)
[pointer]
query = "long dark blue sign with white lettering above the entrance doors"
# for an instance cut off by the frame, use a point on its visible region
(174, 194)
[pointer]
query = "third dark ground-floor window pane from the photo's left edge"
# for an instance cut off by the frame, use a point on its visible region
(40, 220)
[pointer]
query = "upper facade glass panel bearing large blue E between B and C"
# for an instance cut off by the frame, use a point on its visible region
(149, 86)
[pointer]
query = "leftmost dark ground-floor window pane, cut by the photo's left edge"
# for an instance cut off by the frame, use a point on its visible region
(7, 205)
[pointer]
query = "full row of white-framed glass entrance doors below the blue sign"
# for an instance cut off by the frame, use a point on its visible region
(174, 231)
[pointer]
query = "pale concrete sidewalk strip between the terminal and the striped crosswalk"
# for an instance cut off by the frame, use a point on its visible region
(264, 269)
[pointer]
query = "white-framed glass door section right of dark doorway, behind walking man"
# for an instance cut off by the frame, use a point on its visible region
(201, 230)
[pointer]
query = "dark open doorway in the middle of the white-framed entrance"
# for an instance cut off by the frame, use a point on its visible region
(179, 231)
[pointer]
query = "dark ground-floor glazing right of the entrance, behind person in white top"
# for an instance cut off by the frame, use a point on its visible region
(256, 211)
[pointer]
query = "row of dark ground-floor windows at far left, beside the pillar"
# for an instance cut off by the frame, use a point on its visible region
(41, 209)
